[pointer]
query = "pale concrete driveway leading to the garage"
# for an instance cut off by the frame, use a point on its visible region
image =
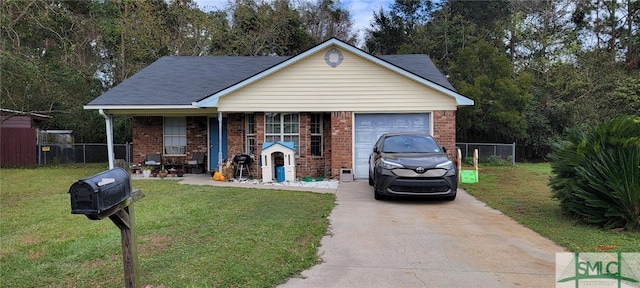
(406, 243)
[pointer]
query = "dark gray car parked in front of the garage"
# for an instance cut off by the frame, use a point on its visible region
(411, 164)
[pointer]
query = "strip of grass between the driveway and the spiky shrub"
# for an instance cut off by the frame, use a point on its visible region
(521, 192)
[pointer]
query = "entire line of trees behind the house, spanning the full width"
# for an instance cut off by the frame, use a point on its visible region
(533, 68)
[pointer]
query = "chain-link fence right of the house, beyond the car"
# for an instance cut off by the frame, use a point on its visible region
(489, 151)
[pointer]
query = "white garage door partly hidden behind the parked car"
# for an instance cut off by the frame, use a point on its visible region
(368, 127)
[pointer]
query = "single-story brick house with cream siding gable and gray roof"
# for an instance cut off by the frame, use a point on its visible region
(332, 101)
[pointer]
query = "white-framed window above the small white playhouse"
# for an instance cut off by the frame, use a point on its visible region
(282, 127)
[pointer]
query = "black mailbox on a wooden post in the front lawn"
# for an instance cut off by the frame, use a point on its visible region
(99, 193)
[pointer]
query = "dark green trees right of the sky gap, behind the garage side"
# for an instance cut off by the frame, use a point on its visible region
(533, 68)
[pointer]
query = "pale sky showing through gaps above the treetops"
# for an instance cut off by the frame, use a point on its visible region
(361, 10)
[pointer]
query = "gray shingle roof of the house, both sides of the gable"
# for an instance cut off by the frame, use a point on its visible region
(181, 80)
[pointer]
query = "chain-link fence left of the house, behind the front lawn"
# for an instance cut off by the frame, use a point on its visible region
(82, 153)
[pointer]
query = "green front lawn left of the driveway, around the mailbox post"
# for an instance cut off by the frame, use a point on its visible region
(187, 236)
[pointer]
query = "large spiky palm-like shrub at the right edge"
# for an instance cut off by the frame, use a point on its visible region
(597, 173)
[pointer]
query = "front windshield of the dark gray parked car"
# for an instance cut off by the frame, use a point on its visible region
(409, 144)
